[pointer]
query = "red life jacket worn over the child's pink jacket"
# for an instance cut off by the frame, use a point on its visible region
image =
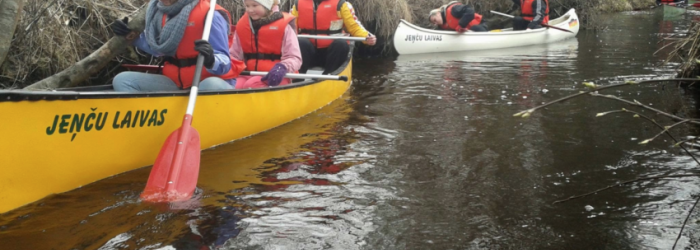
(262, 55)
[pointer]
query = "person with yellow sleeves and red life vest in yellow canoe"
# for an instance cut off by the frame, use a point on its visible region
(327, 18)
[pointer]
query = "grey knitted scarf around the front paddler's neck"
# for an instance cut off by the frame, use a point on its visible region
(165, 39)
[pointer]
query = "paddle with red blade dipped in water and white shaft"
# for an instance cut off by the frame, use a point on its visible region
(175, 172)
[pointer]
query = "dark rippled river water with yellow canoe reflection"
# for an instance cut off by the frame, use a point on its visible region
(424, 153)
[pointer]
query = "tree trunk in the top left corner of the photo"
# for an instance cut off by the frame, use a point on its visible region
(10, 11)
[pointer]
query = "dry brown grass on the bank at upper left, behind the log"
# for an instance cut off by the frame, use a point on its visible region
(53, 34)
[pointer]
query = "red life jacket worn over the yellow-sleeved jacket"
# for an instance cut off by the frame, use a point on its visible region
(317, 20)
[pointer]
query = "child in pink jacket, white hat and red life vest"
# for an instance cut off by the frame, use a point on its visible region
(265, 39)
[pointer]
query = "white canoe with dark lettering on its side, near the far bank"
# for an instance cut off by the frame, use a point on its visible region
(411, 39)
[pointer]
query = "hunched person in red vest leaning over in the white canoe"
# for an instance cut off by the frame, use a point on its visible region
(457, 17)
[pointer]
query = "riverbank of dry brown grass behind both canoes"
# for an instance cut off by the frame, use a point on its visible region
(50, 37)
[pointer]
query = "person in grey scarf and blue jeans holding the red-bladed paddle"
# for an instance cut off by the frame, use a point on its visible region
(173, 31)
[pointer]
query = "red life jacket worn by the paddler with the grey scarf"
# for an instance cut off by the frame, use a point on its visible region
(181, 67)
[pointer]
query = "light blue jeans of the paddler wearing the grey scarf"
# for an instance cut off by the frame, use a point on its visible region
(130, 81)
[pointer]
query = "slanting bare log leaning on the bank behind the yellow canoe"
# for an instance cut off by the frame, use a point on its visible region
(93, 63)
